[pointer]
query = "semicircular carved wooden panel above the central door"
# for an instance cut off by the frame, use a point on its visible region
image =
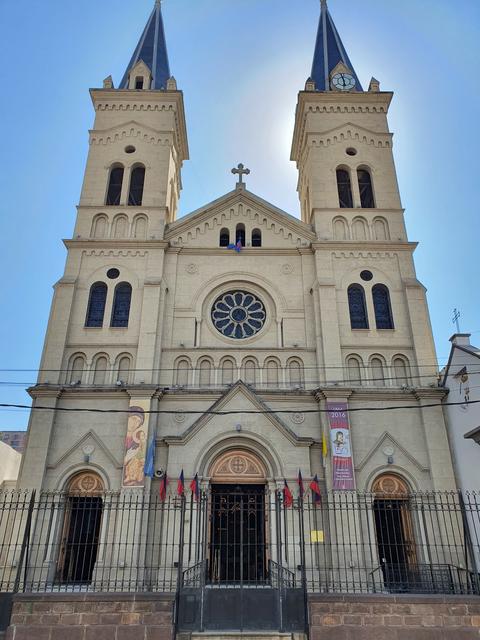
(238, 466)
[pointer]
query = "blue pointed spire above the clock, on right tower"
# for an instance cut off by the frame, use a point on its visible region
(329, 51)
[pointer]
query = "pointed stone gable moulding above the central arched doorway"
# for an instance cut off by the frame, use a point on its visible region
(257, 404)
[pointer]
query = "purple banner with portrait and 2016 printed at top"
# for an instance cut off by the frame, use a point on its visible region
(340, 442)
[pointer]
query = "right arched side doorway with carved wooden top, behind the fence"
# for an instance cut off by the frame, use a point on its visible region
(395, 534)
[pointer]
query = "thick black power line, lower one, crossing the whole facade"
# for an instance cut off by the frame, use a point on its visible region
(237, 412)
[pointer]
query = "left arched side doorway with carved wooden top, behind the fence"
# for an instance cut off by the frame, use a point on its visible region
(81, 528)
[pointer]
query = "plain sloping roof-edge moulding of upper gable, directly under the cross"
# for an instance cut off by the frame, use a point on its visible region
(246, 197)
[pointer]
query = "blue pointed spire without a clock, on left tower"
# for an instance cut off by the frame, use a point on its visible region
(152, 49)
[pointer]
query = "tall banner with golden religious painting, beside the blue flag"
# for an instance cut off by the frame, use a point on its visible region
(136, 445)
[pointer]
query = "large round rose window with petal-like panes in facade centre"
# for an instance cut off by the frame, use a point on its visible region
(238, 314)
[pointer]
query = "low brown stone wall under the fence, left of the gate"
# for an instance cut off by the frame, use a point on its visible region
(83, 616)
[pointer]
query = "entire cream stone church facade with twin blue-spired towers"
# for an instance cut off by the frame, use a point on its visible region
(239, 348)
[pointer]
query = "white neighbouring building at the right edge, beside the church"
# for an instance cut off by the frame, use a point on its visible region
(462, 379)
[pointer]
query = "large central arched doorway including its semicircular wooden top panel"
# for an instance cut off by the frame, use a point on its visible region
(238, 533)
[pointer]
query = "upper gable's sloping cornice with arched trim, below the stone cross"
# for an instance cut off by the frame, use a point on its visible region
(203, 217)
